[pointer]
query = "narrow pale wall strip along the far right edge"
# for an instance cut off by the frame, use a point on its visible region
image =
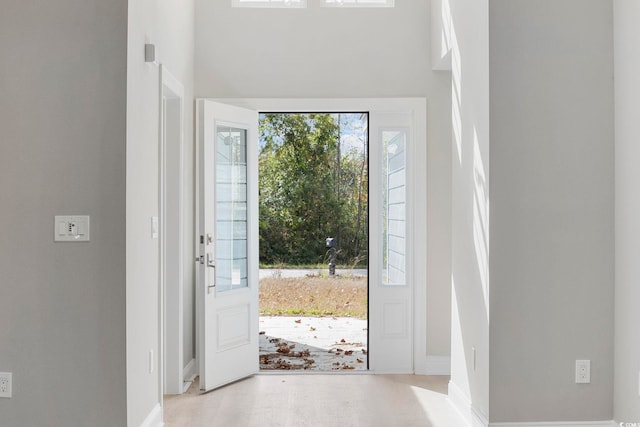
(627, 293)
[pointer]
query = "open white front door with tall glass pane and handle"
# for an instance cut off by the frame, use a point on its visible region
(227, 291)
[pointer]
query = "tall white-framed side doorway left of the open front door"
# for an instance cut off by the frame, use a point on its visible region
(171, 343)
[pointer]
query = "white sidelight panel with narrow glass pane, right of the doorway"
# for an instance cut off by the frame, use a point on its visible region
(391, 279)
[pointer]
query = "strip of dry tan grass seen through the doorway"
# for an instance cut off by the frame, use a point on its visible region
(314, 296)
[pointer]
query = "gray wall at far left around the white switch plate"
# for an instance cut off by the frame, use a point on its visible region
(62, 151)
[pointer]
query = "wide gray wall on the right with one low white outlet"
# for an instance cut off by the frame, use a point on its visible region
(552, 217)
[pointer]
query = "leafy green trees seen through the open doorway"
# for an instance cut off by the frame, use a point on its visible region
(310, 190)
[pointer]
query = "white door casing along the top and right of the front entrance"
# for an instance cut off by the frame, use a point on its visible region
(417, 195)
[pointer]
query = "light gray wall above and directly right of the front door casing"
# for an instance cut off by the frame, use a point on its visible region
(340, 53)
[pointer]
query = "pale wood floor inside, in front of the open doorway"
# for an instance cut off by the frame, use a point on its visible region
(317, 400)
